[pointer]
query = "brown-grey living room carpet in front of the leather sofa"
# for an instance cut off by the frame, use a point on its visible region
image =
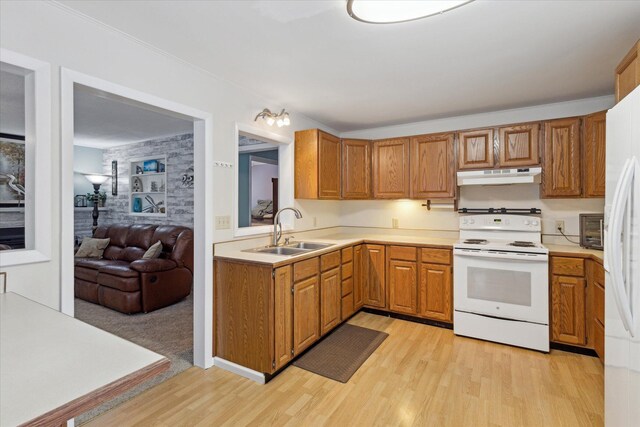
(168, 331)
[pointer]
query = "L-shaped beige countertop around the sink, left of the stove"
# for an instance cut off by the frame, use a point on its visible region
(339, 241)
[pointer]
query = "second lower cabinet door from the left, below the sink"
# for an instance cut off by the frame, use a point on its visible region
(306, 314)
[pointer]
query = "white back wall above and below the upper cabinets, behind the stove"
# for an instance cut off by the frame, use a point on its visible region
(411, 214)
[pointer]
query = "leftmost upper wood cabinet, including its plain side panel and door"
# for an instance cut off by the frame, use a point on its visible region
(317, 165)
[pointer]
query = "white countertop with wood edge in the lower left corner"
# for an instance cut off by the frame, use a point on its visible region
(48, 359)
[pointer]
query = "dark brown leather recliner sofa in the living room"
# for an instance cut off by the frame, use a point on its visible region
(123, 281)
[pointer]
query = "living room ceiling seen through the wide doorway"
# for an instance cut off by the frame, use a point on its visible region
(103, 120)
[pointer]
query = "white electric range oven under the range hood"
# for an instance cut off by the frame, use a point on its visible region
(501, 280)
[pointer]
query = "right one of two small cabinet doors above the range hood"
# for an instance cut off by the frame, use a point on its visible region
(518, 145)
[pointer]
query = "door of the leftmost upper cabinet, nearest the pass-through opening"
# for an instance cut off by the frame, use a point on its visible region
(329, 160)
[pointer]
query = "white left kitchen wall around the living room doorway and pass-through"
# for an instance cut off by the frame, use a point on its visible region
(51, 33)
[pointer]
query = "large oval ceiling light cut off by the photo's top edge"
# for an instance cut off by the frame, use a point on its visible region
(391, 12)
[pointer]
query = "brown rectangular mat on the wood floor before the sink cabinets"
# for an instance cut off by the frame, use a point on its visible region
(339, 355)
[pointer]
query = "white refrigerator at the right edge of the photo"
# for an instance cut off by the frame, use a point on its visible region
(622, 264)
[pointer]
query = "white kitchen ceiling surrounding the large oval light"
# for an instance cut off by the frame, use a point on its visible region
(312, 58)
